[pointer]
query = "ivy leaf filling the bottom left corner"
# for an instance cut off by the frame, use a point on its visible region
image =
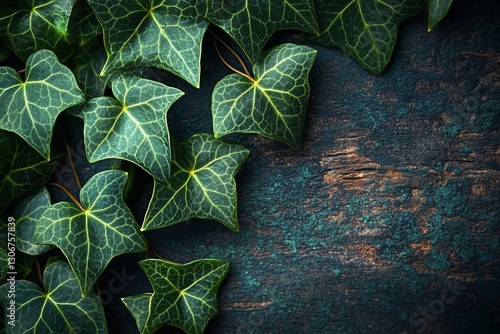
(59, 308)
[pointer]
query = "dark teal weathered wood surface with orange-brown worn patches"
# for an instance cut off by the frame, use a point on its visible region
(388, 219)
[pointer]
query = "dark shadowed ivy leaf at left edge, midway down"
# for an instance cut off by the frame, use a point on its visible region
(22, 169)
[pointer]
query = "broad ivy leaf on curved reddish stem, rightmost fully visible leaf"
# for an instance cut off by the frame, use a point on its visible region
(274, 103)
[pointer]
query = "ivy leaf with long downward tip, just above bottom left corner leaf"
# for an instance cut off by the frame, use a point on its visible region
(90, 238)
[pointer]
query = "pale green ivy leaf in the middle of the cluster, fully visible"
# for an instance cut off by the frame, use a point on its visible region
(132, 127)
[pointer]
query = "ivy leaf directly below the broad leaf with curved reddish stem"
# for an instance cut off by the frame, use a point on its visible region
(202, 184)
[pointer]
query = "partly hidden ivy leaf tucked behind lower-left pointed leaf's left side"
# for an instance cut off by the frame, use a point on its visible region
(27, 212)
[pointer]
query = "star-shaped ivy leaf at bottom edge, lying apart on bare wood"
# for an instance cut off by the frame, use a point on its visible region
(184, 296)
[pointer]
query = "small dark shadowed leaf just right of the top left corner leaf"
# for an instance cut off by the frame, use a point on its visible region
(83, 24)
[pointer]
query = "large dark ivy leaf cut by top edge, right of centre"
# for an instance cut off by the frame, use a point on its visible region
(364, 29)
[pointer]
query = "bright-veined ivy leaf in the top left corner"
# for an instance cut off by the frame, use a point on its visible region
(29, 26)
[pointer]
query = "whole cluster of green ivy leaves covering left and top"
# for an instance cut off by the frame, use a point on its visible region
(80, 58)
